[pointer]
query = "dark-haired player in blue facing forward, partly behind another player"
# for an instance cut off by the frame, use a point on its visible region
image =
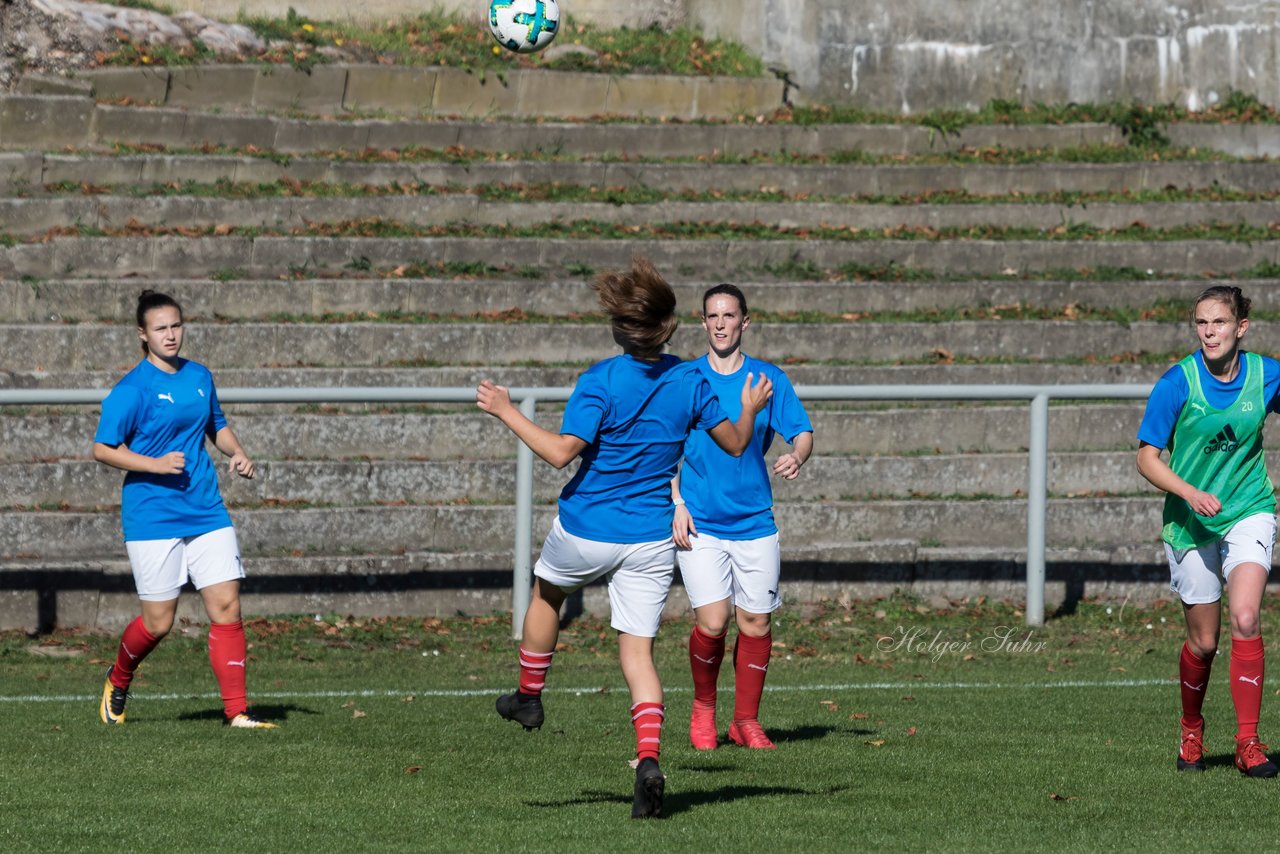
(725, 531)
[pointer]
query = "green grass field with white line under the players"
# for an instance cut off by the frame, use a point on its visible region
(899, 728)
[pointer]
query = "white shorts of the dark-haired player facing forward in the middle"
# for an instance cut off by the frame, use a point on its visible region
(746, 572)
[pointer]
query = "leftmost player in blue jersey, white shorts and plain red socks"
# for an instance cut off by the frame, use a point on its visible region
(154, 427)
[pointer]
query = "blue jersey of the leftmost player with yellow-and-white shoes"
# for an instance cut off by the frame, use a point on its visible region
(154, 414)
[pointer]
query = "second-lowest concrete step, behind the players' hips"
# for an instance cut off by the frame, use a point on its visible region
(988, 523)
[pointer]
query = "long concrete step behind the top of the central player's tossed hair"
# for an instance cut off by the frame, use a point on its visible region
(167, 258)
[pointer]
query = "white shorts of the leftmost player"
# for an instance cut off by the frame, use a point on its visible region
(161, 568)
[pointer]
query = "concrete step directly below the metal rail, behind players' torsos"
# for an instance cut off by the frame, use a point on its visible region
(888, 430)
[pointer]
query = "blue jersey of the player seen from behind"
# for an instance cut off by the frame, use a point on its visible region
(634, 418)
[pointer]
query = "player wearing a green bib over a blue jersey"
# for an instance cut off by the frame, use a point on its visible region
(1219, 520)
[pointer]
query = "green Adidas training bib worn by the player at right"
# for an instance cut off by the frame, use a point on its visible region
(1219, 453)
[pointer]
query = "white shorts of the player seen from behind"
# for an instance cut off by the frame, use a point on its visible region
(639, 576)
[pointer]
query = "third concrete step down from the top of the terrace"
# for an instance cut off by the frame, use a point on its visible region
(28, 172)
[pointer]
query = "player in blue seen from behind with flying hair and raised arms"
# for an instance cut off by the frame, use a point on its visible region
(628, 419)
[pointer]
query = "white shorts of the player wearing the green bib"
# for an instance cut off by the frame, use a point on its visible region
(1197, 576)
